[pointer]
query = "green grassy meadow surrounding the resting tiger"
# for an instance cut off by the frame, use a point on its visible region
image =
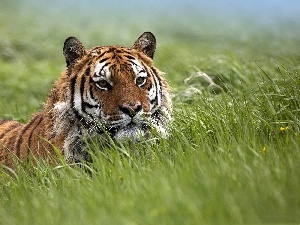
(233, 153)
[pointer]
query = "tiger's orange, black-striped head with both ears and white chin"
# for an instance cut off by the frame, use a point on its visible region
(117, 89)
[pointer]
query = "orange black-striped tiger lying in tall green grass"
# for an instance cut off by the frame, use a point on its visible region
(106, 91)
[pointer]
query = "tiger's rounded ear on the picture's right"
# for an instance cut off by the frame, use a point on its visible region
(146, 43)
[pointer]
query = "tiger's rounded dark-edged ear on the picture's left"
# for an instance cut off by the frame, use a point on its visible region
(73, 50)
